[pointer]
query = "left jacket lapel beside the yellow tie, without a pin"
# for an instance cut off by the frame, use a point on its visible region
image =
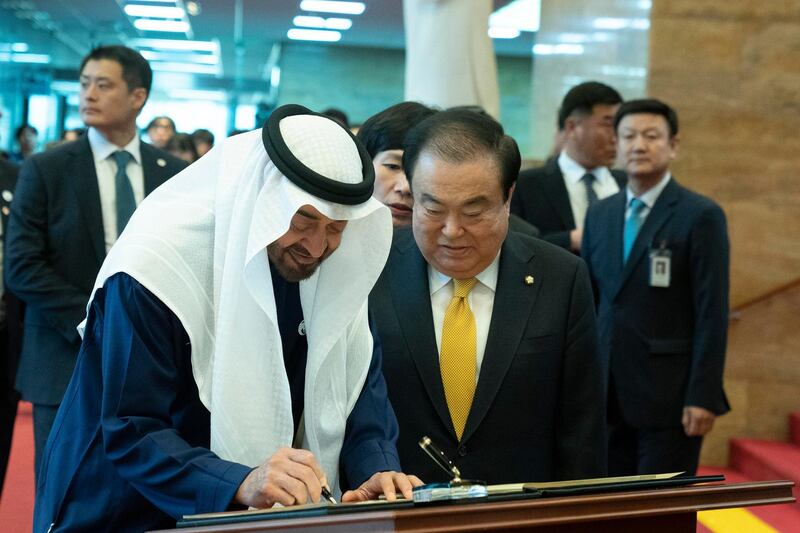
(411, 297)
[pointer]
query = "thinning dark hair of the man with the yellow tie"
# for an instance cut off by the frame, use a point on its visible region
(458, 135)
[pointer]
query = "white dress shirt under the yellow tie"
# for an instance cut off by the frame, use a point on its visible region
(480, 299)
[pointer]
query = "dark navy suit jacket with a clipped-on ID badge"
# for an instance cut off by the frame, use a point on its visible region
(665, 346)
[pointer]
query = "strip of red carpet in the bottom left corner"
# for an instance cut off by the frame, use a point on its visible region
(16, 505)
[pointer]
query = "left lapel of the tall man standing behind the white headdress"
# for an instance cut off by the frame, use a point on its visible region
(82, 175)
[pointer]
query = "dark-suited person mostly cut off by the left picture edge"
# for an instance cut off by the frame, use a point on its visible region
(9, 329)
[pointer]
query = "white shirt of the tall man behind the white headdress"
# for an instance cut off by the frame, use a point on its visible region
(106, 167)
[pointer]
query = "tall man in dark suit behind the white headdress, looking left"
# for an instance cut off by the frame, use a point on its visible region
(71, 204)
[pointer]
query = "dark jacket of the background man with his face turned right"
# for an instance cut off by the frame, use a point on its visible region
(541, 198)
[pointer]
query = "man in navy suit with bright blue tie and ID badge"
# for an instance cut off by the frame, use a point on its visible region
(658, 256)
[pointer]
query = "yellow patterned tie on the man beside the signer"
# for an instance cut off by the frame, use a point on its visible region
(458, 358)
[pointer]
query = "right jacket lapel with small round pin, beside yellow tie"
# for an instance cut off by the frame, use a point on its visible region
(513, 303)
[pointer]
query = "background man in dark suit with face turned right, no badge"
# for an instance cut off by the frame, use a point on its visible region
(554, 198)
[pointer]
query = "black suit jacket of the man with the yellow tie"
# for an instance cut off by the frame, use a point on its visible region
(539, 406)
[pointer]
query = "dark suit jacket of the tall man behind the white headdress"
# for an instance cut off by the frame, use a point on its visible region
(54, 248)
